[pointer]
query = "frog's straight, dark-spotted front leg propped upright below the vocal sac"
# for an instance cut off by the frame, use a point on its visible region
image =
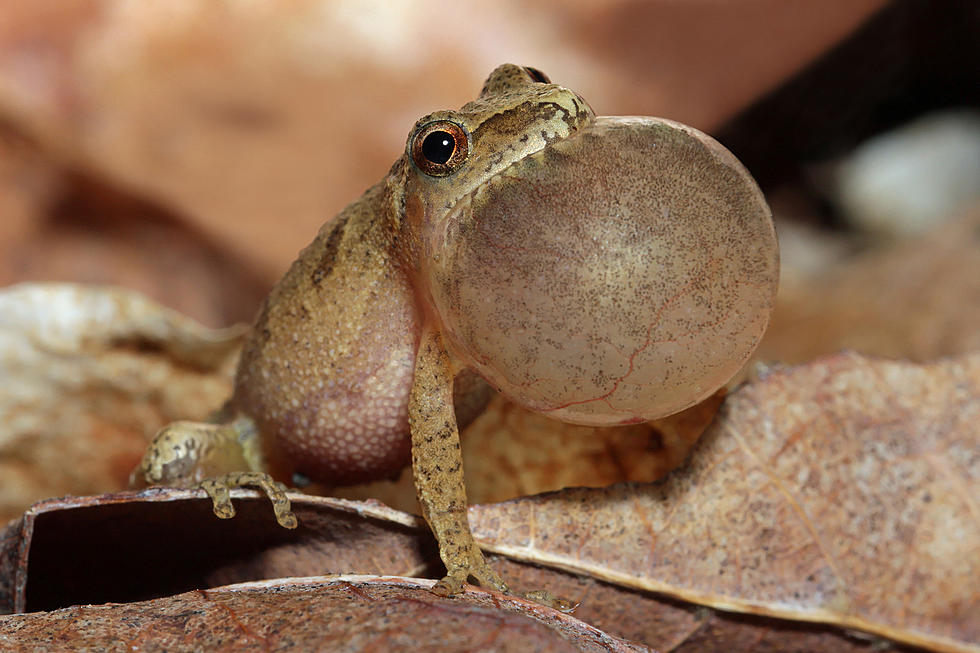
(437, 463)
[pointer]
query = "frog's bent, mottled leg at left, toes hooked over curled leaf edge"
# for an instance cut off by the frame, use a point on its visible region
(215, 458)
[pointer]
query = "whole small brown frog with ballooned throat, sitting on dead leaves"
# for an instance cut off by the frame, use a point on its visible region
(600, 270)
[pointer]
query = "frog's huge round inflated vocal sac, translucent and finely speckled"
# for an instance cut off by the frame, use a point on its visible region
(675, 261)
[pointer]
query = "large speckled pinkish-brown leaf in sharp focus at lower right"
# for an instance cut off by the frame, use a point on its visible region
(843, 491)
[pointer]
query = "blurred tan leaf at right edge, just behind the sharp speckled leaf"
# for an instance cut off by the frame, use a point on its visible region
(918, 299)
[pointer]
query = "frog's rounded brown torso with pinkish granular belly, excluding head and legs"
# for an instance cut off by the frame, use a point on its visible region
(327, 370)
